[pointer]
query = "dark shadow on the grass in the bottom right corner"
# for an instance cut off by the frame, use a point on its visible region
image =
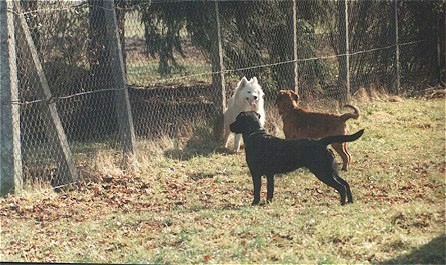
(433, 252)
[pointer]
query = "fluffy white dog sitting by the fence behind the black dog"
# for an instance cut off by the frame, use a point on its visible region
(248, 96)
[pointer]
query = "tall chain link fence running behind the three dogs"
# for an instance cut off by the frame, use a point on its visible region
(73, 89)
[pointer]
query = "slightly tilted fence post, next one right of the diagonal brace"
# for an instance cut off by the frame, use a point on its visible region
(123, 109)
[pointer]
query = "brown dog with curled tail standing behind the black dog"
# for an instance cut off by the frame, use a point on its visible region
(299, 123)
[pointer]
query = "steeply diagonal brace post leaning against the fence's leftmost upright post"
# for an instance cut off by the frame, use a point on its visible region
(55, 130)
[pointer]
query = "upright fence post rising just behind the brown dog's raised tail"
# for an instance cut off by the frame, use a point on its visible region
(344, 51)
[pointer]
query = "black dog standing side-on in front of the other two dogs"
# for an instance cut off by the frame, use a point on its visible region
(269, 155)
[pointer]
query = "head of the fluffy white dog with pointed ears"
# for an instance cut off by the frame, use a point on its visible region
(250, 92)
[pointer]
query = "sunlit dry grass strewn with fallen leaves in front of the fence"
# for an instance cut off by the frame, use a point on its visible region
(183, 204)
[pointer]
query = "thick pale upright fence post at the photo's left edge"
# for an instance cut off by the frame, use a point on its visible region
(10, 149)
